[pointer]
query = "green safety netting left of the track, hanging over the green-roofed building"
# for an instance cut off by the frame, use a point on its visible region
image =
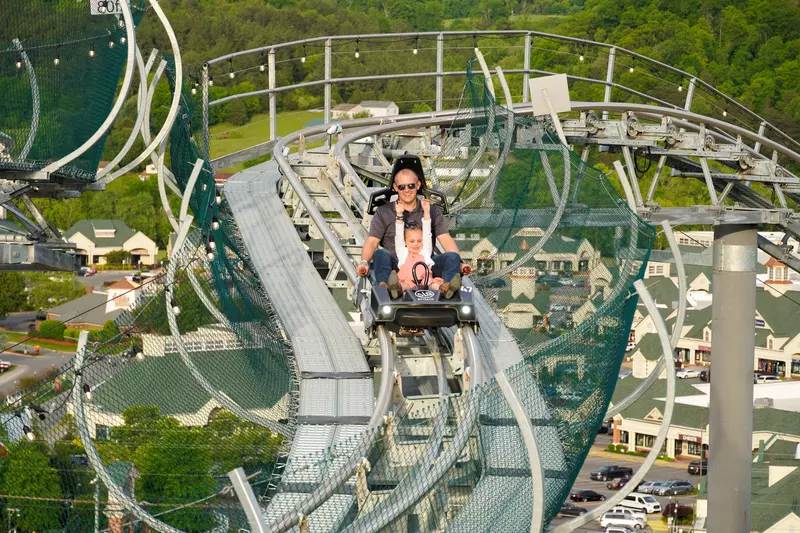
(155, 411)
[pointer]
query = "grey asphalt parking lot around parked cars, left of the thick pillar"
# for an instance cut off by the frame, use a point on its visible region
(661, 471)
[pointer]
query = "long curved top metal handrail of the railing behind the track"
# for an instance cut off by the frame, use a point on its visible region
(612, 49)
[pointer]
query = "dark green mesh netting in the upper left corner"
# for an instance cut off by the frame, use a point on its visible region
(60, 68)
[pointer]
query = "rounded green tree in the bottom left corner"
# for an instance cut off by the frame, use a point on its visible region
(28, 473)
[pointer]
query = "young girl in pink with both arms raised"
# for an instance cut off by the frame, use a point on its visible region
(418, 247)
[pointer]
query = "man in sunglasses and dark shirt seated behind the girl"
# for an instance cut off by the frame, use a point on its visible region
(382, 232)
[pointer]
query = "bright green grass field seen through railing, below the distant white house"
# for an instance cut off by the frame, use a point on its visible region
(254, 132)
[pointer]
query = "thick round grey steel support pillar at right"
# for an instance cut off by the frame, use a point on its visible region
(731, 411)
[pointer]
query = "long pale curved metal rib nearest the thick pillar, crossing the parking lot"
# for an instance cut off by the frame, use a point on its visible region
(663, 337)
